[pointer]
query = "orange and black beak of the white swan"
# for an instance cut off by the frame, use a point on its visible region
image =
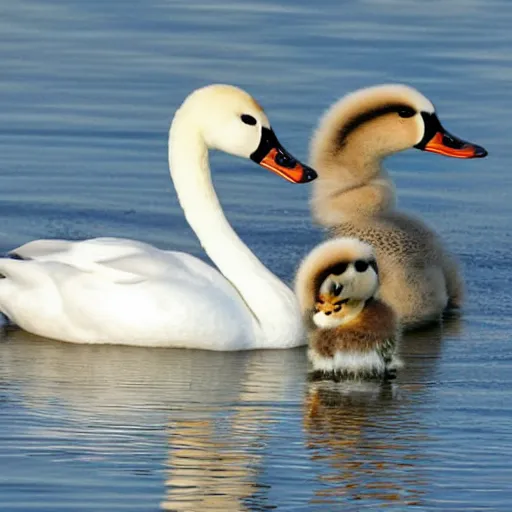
(271, 155)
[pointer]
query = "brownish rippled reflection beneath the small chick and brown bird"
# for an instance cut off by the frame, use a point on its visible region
(364, 433)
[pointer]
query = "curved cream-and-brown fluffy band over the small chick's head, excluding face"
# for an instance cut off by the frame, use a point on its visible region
(317, 265)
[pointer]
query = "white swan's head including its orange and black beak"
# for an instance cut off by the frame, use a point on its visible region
(230, 120)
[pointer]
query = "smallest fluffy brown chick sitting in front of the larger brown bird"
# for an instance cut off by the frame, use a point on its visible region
(352, 334)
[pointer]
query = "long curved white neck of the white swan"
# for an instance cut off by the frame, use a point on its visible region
(272, 304)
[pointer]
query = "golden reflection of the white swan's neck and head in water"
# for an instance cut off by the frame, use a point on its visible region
(215, 460)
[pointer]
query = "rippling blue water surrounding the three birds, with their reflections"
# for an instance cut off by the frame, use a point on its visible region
(87, 90)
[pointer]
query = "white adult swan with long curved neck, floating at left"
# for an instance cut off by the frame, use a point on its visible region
(111, 290)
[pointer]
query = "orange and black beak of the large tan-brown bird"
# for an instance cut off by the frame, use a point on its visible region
(438, 140)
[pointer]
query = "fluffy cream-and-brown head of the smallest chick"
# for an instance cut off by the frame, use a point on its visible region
(343, 268)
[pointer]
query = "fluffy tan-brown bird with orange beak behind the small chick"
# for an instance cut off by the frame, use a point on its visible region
(354, 196)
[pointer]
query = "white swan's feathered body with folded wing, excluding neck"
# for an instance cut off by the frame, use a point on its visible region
(122, 291)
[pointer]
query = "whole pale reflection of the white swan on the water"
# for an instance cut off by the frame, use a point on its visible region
(113, 403)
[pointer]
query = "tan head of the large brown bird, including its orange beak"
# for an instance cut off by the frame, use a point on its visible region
(381, 120)
